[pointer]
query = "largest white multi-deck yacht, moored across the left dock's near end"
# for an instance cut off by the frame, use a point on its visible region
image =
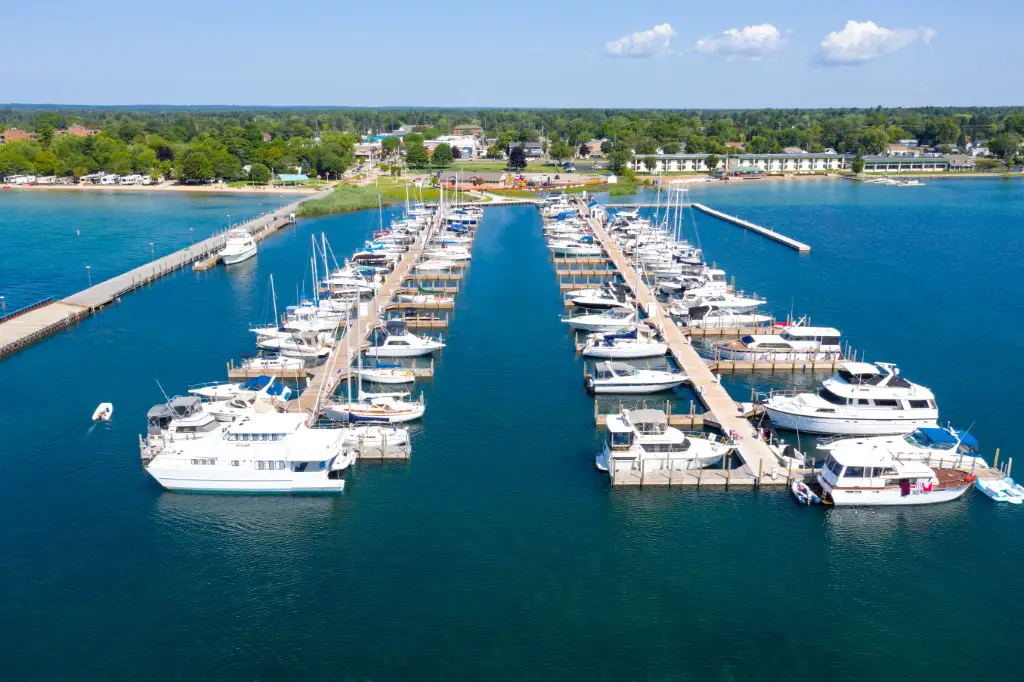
(260, 453)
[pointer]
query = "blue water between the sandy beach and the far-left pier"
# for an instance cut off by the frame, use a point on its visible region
(51, 237)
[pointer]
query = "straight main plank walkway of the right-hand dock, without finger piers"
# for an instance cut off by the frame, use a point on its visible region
(755, 454)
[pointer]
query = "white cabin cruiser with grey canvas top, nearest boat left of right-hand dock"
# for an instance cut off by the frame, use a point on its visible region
(642, 441)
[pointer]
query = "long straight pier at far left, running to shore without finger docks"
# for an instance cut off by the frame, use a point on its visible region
(23, 328)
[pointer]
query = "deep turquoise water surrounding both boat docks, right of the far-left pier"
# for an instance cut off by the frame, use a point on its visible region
(498, 551)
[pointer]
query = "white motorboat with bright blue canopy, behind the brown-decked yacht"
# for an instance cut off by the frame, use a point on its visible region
(946, 447)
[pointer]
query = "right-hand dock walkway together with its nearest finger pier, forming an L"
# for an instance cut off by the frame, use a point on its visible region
(757, 458)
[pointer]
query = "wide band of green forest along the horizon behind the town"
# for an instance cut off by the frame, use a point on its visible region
(201, 144)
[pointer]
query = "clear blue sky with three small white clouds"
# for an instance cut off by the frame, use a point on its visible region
(529, 54)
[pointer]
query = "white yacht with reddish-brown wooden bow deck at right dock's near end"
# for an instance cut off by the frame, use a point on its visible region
(876, 479)
